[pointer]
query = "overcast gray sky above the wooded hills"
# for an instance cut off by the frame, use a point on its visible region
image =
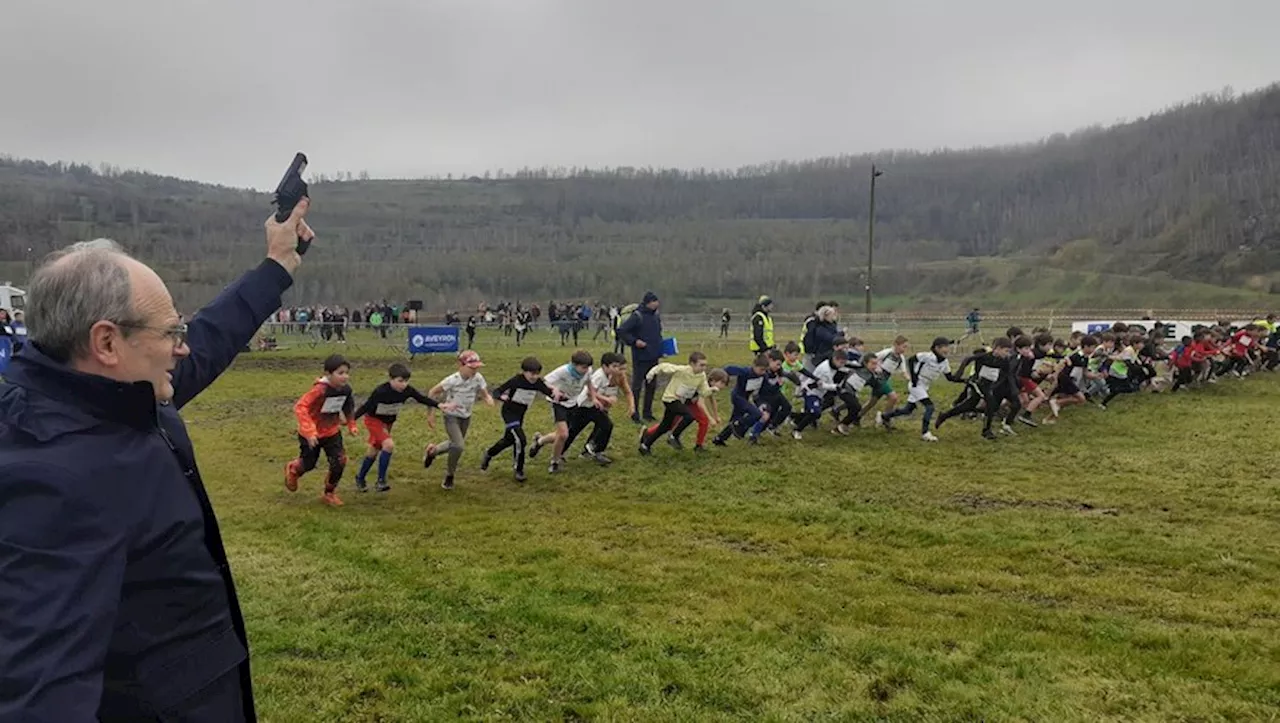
(226, 91)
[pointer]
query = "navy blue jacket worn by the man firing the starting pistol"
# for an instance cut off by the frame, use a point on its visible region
(116, 598)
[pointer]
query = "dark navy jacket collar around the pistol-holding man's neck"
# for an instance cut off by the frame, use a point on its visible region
(102, 399)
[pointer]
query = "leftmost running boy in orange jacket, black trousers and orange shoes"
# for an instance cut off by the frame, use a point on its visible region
(319, 414)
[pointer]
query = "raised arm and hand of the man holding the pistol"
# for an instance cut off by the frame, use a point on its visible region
(223, 328)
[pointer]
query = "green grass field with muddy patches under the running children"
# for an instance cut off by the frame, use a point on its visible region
(1121, 566)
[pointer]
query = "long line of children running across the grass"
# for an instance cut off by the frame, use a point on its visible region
(1008, 381)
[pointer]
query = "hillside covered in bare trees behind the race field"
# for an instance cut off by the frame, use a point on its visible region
(1186, 195)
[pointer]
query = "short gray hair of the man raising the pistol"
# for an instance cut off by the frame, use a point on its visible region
(74, 290)
